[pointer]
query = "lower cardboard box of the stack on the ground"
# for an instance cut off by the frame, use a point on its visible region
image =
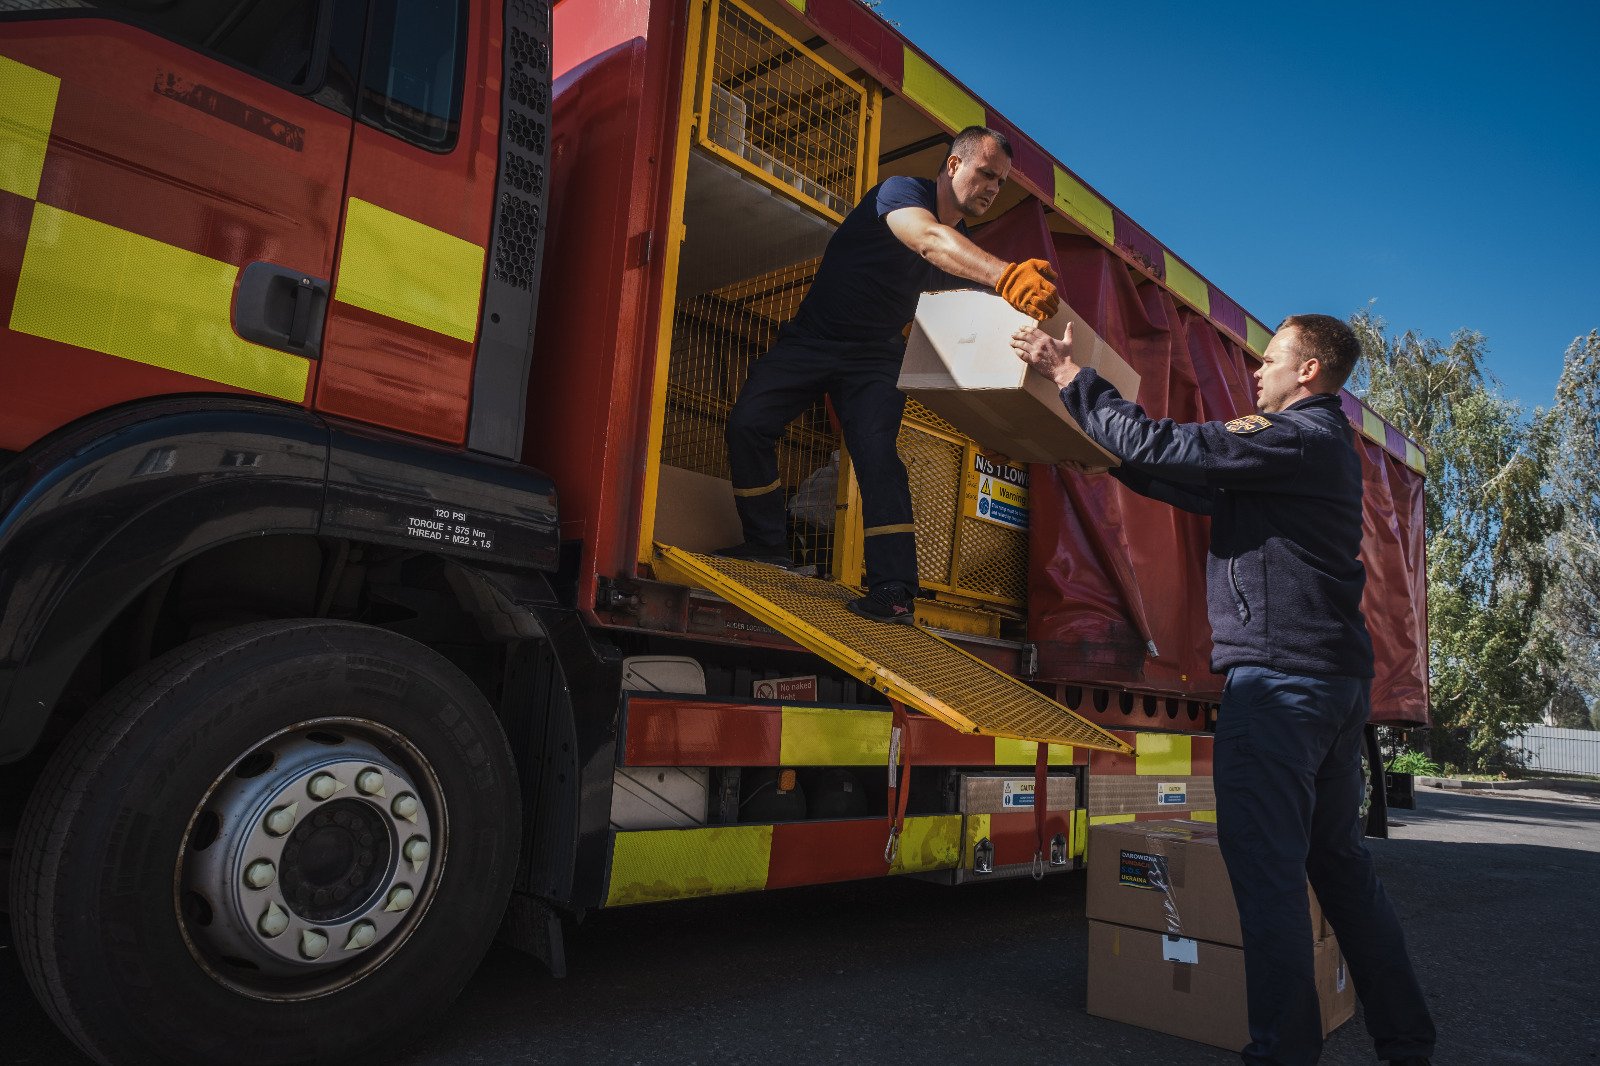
(1193, 988)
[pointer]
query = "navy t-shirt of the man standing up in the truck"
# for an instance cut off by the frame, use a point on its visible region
(868, 286)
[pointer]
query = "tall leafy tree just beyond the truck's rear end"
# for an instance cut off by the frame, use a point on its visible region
(1489, 523)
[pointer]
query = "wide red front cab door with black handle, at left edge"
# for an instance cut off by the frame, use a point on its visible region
(170, 186)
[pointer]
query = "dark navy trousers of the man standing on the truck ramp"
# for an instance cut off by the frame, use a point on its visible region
(862, 383)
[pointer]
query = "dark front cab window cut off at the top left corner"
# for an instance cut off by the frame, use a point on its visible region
(271, 38)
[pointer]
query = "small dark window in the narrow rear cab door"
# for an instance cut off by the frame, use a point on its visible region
(414, 71)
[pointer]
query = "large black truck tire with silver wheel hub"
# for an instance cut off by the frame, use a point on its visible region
(289, 843)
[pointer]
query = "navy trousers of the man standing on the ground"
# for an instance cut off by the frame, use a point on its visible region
(1289, 790)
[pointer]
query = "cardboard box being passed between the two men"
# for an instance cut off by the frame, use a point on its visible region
(961, 366)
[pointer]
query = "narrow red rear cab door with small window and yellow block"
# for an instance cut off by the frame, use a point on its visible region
(417, 217)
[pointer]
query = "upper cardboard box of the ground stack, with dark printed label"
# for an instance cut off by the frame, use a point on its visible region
(1169, 876)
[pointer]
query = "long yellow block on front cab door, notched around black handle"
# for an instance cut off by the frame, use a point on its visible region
(114, 292)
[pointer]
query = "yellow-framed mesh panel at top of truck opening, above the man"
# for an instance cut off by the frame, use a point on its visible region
(782, 113)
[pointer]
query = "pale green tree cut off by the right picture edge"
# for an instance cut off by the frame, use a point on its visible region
(1572, 436)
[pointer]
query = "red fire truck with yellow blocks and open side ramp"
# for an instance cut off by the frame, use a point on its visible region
(364, 371)
